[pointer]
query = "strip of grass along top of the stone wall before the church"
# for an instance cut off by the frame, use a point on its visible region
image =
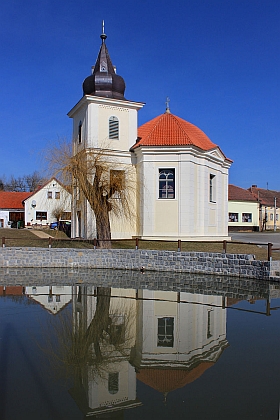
(25, 238)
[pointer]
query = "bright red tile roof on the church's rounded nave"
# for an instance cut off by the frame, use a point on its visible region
(169, 130)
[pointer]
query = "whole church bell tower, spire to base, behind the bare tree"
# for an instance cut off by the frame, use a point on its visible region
(103, 119)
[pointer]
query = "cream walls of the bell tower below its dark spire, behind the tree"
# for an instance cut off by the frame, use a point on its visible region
(92, 114)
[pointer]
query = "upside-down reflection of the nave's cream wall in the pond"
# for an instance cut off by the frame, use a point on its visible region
(174, 334)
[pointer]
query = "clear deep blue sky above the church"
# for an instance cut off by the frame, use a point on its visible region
(217, 60)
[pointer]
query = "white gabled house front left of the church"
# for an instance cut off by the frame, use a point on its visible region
(41, 205)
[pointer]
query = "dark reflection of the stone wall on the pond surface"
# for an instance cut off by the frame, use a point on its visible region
(203, 284)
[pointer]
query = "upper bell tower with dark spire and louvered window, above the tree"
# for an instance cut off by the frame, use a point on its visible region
(104, 118)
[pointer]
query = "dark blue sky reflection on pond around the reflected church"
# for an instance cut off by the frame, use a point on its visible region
(243, 383)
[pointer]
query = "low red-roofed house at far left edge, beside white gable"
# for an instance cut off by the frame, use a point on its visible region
(12, 208)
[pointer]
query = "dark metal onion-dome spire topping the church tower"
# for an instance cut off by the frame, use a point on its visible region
(104, 81)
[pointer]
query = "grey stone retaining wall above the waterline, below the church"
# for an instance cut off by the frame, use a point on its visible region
(237, 265)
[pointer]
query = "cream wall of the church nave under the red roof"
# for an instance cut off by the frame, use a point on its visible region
(191, 214)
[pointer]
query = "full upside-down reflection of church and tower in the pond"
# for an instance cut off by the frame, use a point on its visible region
(164, 339)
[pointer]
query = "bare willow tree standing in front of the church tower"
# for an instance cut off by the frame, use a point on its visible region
(108, 186)
